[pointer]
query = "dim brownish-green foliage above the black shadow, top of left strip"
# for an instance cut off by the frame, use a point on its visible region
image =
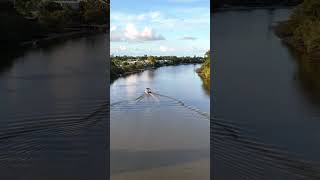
(52, 14)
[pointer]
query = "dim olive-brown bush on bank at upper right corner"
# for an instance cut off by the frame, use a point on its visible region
(302, 31)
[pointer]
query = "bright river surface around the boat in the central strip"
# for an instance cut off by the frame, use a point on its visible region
(164, 135)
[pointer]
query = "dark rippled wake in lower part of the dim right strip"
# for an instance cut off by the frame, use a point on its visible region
(238, 152)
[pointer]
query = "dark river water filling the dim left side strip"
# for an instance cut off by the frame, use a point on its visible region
(53, 112)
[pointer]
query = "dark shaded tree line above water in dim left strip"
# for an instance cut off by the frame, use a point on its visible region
(32, 19)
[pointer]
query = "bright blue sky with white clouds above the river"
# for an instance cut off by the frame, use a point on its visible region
(160, 27)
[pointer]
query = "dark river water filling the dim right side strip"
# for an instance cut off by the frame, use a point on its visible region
(266, 105)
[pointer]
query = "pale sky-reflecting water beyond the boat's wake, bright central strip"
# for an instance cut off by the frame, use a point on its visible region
(180, 81)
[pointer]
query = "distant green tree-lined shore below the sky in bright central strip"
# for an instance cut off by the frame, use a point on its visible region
(126, 65)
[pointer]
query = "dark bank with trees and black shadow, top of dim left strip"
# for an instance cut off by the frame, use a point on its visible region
(35, 22)
